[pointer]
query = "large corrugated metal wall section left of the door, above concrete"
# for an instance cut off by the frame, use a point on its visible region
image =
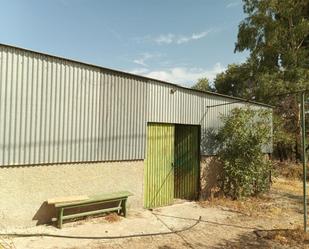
(53, 110)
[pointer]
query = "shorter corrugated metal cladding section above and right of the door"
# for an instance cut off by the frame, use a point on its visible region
(169, 104)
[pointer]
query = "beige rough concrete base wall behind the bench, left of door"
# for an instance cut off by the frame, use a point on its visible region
(25, 189)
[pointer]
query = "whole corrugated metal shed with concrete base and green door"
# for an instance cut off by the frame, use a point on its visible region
(71, 128)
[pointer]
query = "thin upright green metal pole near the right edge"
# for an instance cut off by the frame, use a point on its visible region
(304, 158)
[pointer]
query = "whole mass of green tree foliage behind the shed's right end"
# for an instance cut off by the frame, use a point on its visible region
(276, 33)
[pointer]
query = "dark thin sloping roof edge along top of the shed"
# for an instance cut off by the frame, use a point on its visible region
(137, 76)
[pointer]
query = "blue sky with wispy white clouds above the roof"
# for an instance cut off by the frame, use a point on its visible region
(174, 40)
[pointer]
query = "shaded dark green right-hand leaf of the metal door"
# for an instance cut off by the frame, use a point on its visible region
(186, 162)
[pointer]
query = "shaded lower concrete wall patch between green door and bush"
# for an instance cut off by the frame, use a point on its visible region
(211, 170)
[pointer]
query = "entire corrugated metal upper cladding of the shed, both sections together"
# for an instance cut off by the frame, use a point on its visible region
(56, 110)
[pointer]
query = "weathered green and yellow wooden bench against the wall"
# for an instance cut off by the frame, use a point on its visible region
(118, 197)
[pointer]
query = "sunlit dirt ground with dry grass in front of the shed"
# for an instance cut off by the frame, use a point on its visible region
(270, 221)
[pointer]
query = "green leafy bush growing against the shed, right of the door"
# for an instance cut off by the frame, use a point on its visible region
(245, 167)
